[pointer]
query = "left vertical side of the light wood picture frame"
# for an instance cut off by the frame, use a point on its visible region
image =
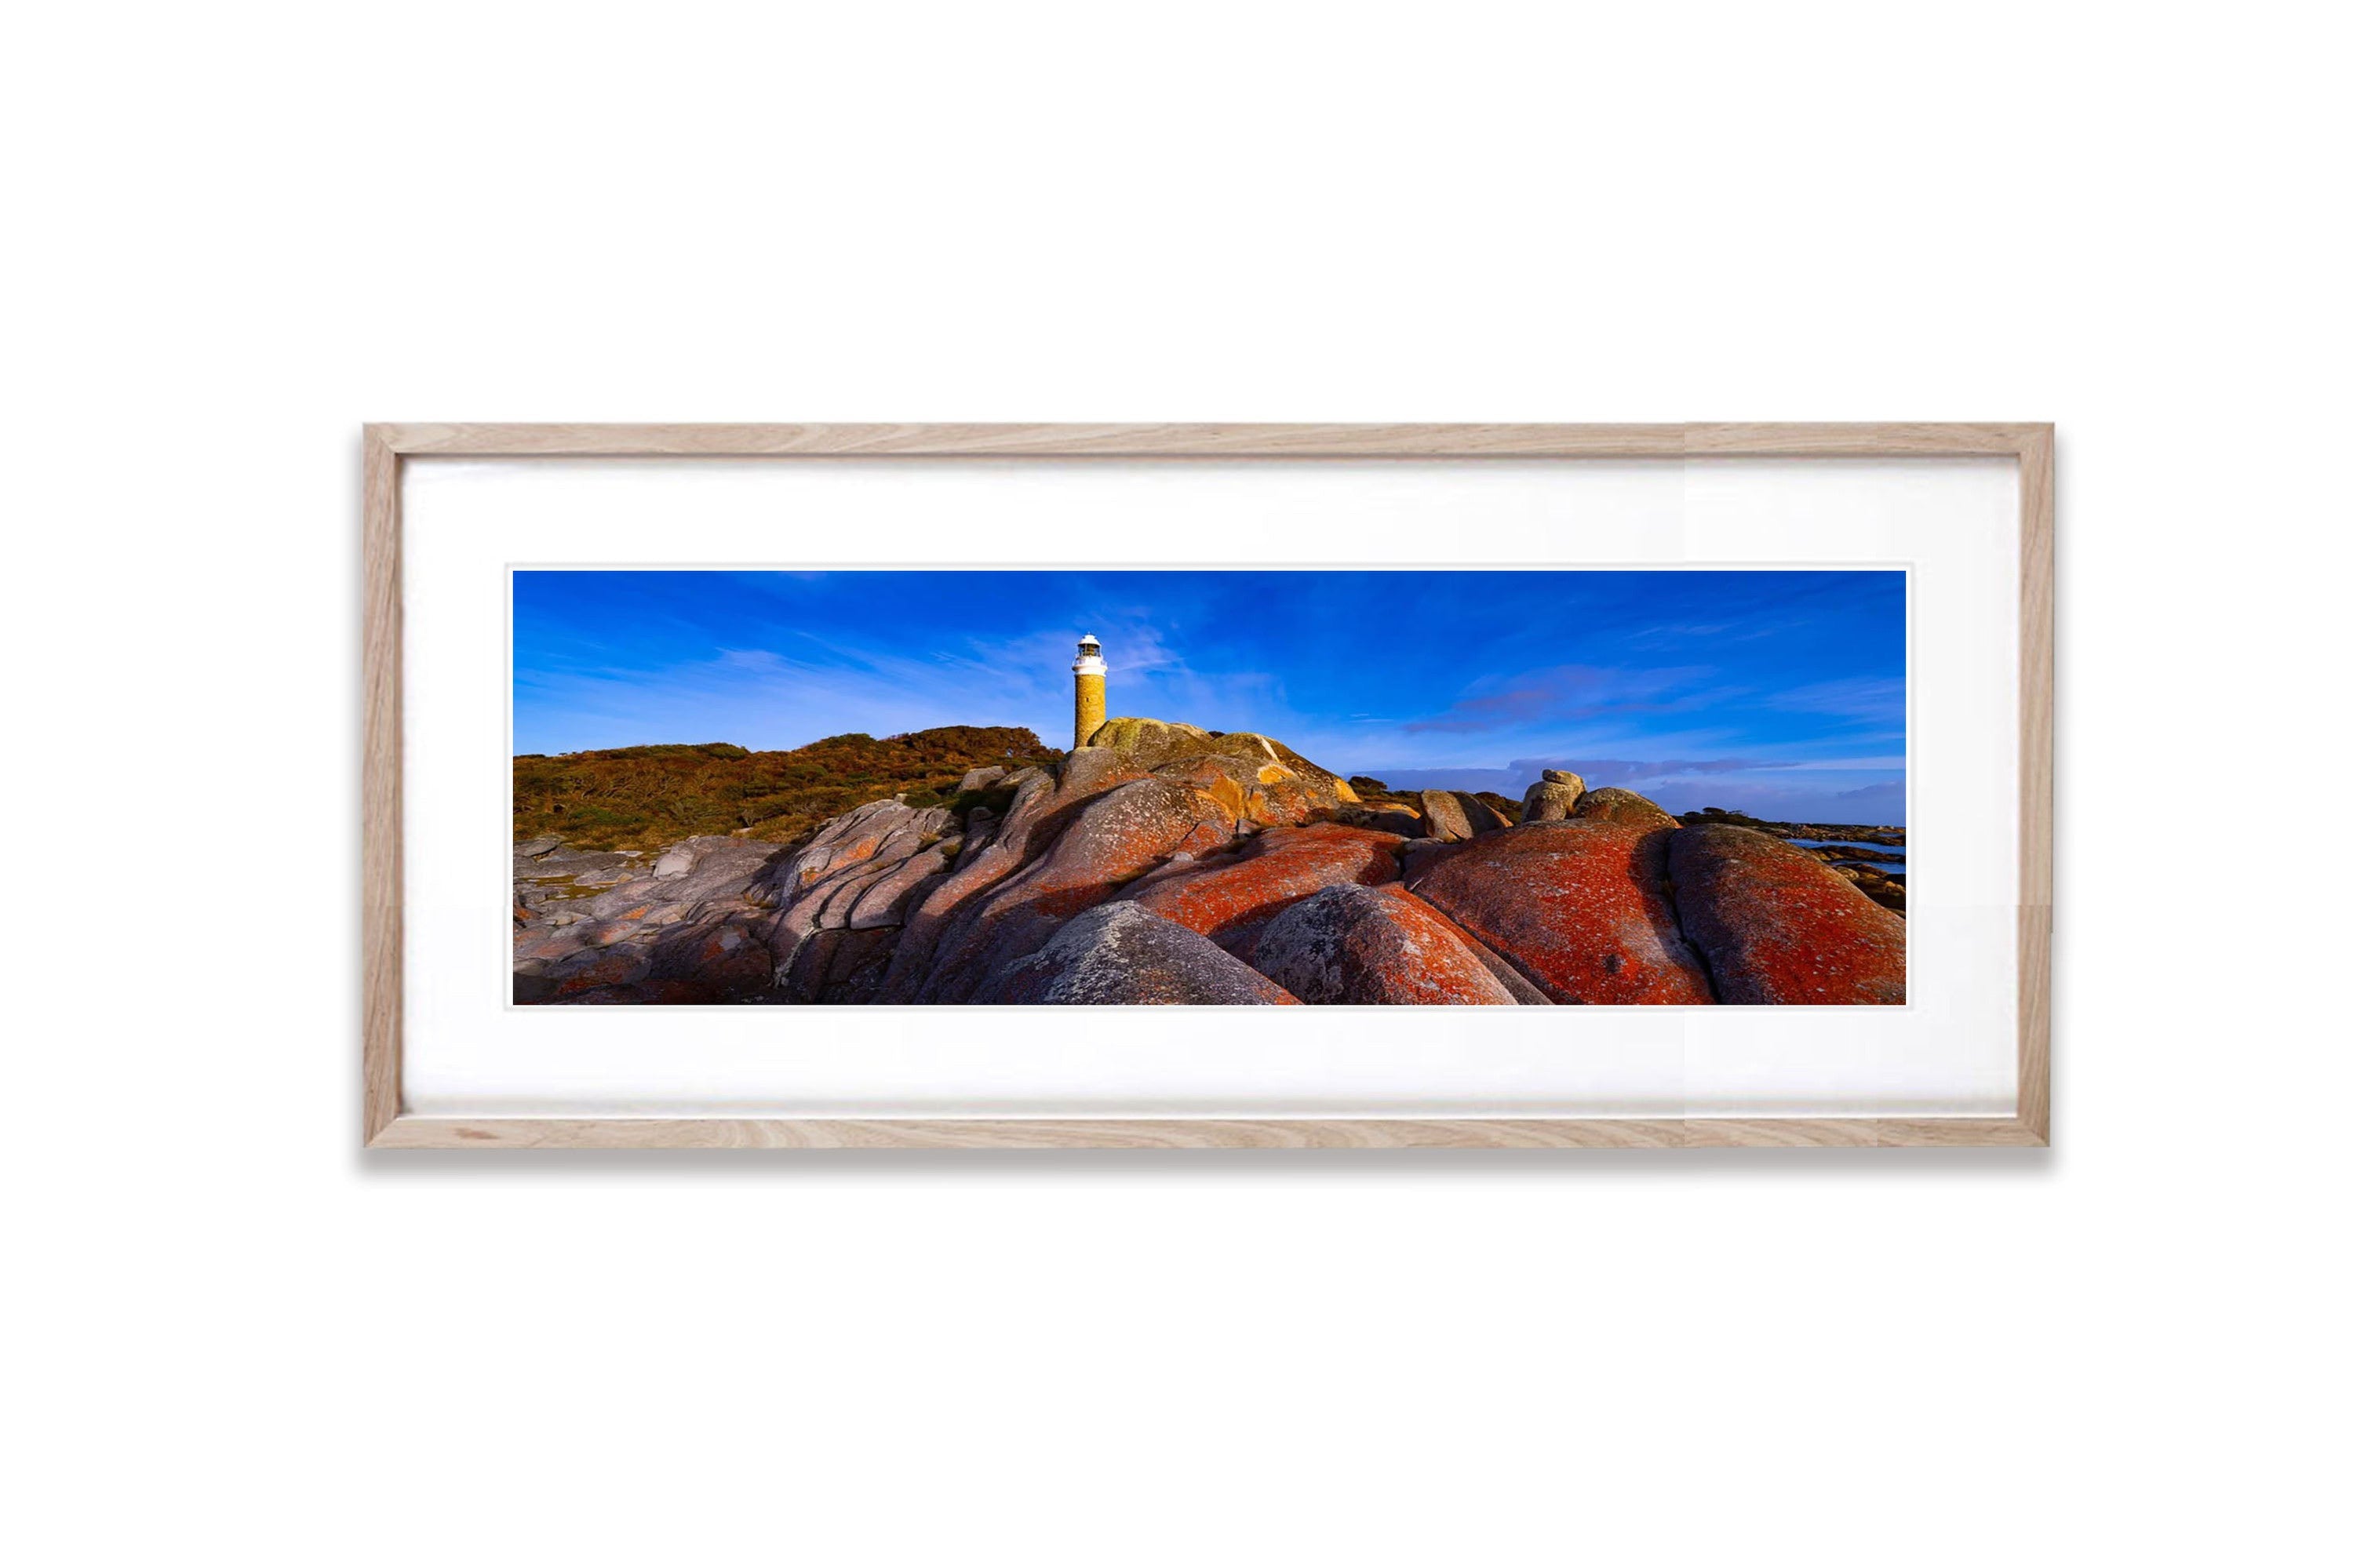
(380, 782)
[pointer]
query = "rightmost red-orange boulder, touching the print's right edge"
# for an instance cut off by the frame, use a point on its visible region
(1780, 927)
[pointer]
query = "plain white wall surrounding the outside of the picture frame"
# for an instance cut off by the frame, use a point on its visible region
(246, 229)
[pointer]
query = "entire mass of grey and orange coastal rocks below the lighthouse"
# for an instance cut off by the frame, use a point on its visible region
(1178, 866)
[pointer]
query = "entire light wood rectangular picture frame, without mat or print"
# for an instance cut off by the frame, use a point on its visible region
(387, 448)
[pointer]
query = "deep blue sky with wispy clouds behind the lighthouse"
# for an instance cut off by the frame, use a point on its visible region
(1778, 692)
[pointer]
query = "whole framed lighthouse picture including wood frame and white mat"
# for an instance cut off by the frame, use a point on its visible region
(1208, 786)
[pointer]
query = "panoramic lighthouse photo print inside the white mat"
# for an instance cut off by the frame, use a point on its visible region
(1500, 789)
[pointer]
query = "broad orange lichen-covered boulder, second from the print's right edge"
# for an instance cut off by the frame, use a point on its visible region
(1580, 909)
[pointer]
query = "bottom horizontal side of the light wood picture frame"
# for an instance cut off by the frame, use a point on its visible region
(1199, 1134)
